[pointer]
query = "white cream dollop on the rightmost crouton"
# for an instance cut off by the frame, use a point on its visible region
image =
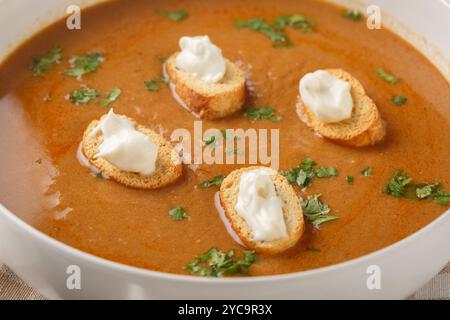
(326, 96)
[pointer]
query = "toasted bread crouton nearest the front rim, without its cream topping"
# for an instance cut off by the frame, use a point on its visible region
(292, 211)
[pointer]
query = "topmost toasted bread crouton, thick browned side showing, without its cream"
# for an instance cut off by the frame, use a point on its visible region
(209, 100)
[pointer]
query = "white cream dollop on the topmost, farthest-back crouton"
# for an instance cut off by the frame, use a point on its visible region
(201, 58)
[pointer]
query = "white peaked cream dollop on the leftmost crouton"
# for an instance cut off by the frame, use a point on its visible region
(125, 147)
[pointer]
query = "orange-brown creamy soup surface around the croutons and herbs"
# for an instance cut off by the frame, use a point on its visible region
(45, 185)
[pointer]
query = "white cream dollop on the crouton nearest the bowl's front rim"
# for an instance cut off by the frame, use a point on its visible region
(259, 205)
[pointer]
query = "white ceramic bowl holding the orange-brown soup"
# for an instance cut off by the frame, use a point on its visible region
(405, 266)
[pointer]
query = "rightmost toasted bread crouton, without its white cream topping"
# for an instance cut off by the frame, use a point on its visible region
(364, 128)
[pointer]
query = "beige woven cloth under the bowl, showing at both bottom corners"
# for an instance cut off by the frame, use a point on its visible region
(13, 288)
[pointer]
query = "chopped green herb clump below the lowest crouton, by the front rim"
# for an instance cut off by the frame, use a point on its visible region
(215, 263)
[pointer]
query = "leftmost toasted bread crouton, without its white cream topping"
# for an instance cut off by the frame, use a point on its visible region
(168, 163)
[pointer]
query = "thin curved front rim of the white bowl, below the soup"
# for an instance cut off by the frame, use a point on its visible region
(137, 271)
